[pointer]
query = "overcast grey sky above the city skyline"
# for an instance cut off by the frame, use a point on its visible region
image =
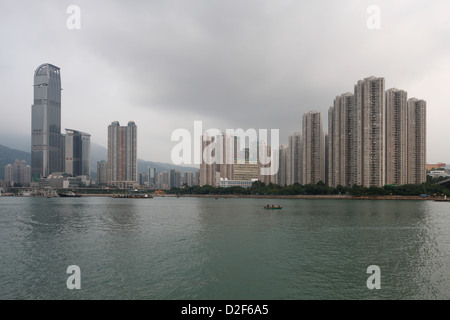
(230, 63)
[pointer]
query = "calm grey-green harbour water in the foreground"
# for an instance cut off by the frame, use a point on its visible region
(202, 248)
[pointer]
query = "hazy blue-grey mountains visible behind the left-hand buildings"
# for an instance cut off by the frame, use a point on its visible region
(98, 153)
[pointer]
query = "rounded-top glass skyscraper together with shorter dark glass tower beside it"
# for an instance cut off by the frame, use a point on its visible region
(53, 152)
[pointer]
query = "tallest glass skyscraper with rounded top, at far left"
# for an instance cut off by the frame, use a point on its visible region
(47, 143)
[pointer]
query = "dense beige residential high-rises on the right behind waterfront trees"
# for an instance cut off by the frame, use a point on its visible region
(375, 137)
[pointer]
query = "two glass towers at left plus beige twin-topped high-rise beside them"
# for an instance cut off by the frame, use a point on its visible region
(54, 154)
